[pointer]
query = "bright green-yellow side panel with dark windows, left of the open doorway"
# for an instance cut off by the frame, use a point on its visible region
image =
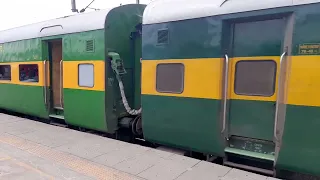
(20, 91)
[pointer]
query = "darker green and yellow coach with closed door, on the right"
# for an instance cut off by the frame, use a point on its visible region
(235, 79)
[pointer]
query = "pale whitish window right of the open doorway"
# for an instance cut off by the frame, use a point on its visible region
(86, 75)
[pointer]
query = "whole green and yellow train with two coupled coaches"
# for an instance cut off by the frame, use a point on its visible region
(236, 82)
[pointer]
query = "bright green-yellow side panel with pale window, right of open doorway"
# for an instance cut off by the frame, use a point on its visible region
(84, 104)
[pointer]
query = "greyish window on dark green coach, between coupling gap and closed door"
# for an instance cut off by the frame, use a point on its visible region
(170, 78)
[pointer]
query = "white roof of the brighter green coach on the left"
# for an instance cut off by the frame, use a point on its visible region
(64, 25)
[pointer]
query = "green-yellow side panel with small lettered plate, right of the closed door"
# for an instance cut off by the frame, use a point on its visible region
(300, 144)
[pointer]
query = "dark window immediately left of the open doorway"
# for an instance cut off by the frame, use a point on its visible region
(28, 73)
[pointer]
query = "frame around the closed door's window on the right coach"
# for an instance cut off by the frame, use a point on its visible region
(256, 94)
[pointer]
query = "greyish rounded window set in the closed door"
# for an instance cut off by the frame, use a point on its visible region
(255, 78)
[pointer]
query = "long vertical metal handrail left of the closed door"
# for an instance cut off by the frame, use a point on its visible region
(225, 93)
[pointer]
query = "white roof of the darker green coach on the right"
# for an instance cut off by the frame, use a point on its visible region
(159, 11)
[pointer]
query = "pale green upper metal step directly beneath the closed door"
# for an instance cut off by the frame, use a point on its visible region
(256, 155)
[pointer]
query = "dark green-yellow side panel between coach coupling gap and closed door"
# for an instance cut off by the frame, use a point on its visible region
(181, 87)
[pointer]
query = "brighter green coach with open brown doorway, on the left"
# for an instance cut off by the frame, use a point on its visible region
(63, 68)
